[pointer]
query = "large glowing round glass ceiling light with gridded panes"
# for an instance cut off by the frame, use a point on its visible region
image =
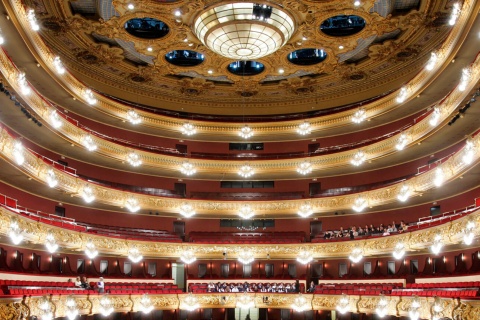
(244, 30)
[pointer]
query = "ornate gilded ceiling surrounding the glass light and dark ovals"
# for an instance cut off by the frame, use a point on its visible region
(392, 48)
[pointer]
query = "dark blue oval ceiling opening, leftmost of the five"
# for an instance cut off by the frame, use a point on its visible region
(146, 28)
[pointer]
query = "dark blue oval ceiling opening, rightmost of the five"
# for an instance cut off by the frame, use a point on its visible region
(342, 25)
